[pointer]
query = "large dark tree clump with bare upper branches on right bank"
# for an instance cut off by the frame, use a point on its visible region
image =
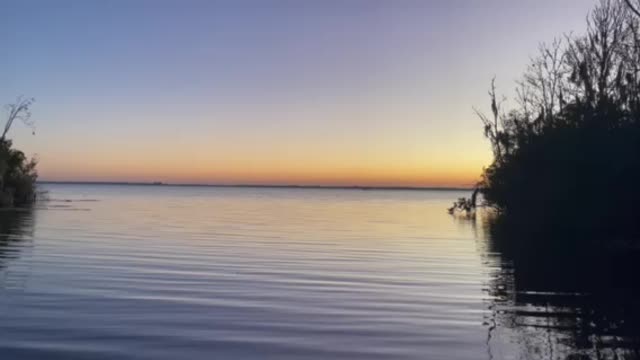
(567, 153)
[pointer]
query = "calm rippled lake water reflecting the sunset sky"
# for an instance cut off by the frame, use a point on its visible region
(161, 272)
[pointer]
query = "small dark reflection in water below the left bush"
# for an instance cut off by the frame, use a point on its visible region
(15, 227)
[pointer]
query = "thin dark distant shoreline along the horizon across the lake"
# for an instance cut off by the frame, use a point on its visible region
(268, 186)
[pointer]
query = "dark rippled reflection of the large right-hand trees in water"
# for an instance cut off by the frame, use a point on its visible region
(559, 303)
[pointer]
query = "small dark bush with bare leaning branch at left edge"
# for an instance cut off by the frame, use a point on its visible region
(17, 173)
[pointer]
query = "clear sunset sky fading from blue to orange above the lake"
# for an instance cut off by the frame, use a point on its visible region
(324, 92)
